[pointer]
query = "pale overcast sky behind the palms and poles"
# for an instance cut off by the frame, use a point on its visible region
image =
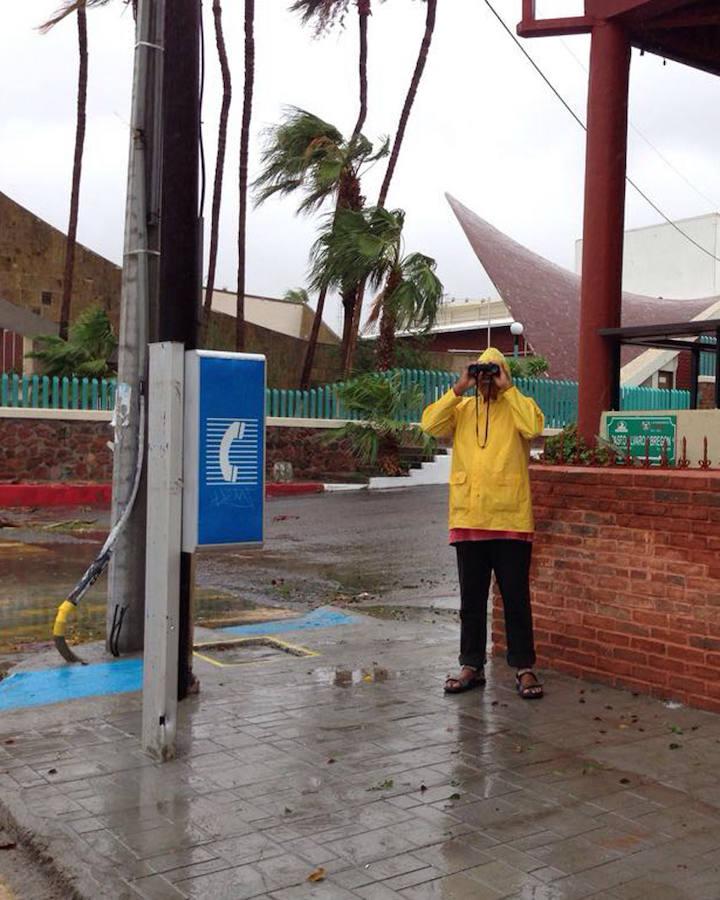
(484, 127)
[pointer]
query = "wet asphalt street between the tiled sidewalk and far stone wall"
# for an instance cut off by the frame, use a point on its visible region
(320, 549)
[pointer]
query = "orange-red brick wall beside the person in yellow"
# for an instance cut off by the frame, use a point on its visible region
(626, 579)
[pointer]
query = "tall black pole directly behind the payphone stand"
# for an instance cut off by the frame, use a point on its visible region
(181, 241)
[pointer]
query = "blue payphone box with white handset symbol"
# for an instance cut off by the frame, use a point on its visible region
(224, 461)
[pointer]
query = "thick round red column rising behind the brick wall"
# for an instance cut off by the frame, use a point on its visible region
(601, 288)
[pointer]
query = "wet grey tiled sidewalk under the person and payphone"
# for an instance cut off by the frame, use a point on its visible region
(355, 762)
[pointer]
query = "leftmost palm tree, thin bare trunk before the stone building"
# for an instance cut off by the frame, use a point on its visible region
(79, 7)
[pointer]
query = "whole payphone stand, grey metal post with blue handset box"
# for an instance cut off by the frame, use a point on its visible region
(206, 488)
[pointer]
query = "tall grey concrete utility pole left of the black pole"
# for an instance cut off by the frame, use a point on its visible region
(126, 588)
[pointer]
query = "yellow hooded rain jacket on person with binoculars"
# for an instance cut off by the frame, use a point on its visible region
(490, 486)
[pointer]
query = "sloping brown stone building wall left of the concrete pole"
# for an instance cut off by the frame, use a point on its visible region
(32, 261)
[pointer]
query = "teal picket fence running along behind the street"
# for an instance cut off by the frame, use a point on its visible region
(557, 399)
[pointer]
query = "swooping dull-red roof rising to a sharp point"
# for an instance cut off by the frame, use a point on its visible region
(546, 297)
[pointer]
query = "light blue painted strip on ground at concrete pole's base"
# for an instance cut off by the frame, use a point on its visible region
(41, 688)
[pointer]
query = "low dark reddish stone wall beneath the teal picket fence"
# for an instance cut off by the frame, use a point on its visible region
(44, 450)
